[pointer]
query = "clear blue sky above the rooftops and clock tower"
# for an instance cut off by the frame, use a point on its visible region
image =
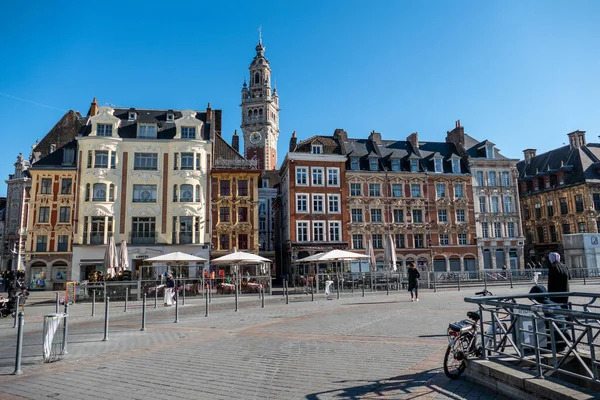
(521, 74)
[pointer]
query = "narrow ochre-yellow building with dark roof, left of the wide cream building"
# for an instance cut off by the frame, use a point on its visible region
(51, 211)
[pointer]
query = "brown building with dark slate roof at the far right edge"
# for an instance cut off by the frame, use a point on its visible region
(560, 194)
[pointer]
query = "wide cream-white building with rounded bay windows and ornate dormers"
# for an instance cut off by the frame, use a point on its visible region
(143, 177)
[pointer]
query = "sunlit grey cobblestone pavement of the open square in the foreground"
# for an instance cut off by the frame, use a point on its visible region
(377, 346)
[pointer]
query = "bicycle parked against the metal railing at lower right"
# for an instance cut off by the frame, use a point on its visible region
(464, 341)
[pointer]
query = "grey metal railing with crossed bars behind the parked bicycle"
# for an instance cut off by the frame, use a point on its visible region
(553, 339)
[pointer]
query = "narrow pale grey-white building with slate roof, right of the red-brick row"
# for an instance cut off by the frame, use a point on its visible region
(496, 202)
